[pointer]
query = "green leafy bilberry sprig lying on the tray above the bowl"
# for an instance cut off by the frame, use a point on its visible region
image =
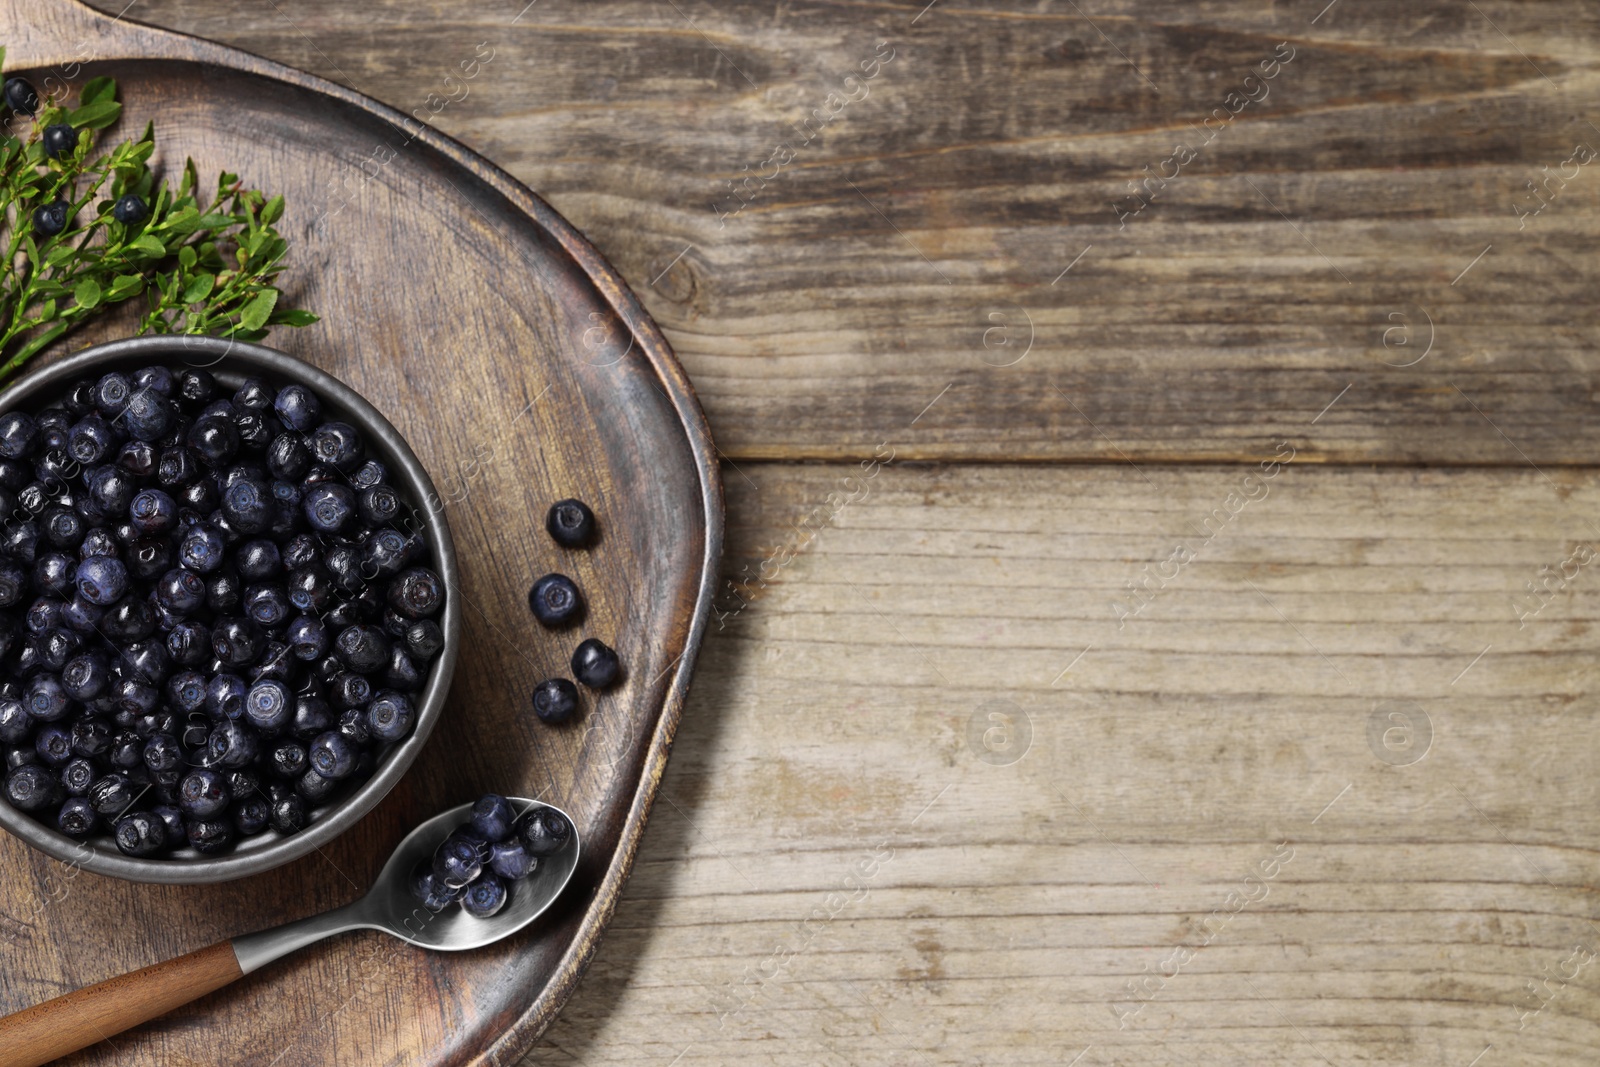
(204, 268)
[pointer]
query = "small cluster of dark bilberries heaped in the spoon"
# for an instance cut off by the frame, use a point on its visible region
(486, 857)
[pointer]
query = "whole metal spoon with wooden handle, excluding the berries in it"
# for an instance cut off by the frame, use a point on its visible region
(41, 1034)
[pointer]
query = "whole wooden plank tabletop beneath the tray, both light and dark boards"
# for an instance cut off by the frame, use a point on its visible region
(1162, 513)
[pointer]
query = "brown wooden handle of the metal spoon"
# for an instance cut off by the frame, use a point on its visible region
(41, 1034)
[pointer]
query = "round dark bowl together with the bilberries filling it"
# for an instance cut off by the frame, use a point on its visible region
(223, 615)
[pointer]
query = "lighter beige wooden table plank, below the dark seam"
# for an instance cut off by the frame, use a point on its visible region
(1012, 903)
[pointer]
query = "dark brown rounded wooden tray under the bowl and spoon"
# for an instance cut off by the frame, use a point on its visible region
(521, 370)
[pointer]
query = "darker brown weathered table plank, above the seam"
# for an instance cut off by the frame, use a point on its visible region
(934, 230)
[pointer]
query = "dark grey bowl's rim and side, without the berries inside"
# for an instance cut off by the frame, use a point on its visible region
(231, 364)
